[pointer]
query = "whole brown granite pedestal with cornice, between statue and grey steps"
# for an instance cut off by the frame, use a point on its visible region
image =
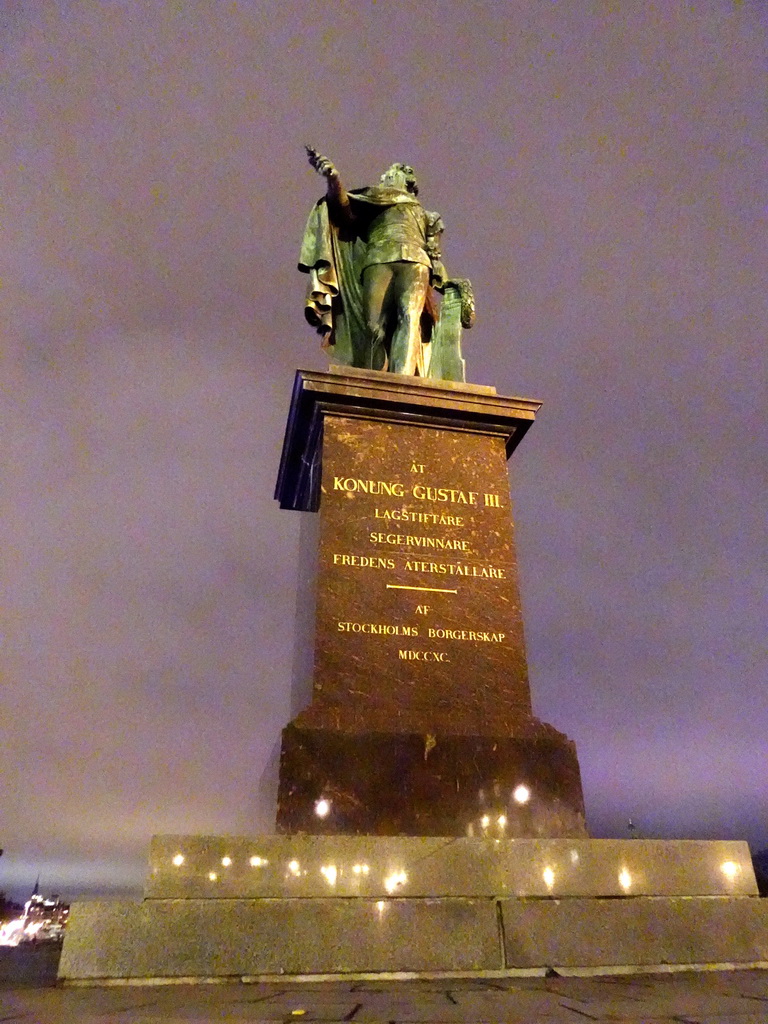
(420, 721)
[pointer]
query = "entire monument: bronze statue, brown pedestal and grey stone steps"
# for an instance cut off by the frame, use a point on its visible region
(426, 822)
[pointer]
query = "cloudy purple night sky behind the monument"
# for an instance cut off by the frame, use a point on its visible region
(601, 170)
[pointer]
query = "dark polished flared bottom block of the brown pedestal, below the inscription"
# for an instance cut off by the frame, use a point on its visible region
(376, 784)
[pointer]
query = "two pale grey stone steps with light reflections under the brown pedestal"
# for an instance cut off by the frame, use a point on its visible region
(242, 909)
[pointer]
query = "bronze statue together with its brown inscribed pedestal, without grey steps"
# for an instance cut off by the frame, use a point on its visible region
(420, 721)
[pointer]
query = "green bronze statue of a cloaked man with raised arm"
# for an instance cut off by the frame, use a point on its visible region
(374, 262)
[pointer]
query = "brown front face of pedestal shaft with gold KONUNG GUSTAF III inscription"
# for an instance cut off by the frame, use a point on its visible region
(418, 603)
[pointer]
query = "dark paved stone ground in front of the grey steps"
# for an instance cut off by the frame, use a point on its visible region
(707, 998)
